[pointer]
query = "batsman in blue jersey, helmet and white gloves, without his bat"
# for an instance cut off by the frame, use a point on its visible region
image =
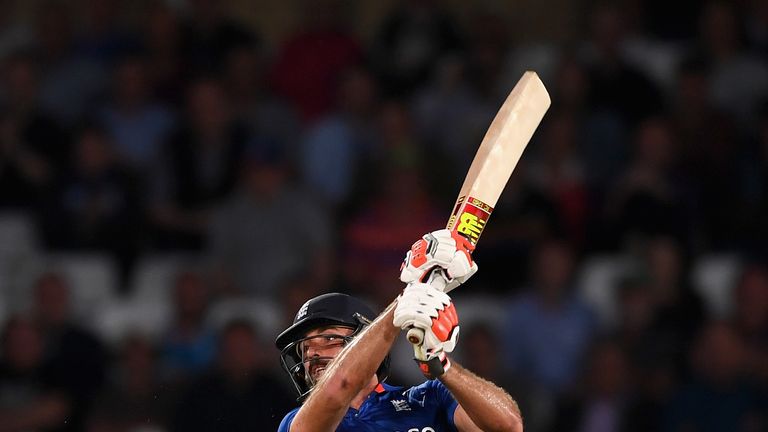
(338, 358)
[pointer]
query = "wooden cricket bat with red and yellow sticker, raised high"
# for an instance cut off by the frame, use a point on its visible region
(494, 162)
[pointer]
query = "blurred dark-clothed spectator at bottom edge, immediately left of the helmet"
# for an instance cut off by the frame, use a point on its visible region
(239, 394)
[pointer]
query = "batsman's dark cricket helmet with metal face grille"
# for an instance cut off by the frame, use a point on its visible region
(333, 309)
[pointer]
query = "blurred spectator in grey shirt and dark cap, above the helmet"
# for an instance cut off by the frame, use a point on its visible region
(267, 208)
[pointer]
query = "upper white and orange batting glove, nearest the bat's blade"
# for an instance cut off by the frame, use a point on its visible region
(440, 249)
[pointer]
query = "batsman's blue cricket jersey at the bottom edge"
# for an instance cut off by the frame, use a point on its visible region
(428, 407)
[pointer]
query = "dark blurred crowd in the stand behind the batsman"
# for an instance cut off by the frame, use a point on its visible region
(177, 177)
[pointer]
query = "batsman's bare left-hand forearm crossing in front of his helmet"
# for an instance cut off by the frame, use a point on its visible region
(346, 376)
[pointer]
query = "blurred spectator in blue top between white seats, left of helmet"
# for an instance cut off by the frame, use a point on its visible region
(189, 345)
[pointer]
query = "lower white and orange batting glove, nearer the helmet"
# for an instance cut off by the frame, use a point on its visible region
(429, 309)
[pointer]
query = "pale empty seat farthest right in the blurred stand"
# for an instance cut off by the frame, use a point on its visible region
(714, 277)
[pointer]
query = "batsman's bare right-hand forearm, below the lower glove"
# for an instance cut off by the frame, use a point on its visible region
(489, 406)
